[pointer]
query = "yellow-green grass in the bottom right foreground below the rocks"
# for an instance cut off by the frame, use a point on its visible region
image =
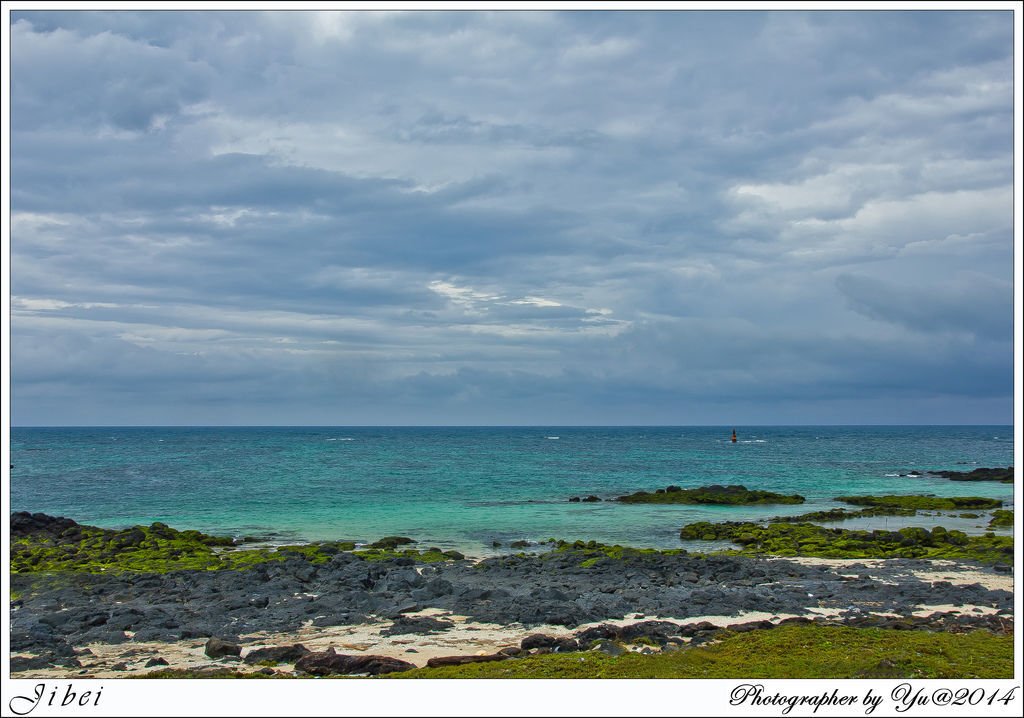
(791, 652)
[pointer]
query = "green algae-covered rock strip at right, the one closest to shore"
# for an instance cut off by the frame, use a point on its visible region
(813, 540)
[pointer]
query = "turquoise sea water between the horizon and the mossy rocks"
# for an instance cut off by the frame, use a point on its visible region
(467, 487)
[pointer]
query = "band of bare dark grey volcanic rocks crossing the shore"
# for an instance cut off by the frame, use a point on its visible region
(566, 588)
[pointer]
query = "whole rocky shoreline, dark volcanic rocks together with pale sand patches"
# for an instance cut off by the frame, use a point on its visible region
(62, 622)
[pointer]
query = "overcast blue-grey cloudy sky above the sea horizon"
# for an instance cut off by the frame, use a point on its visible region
(511, 218)
